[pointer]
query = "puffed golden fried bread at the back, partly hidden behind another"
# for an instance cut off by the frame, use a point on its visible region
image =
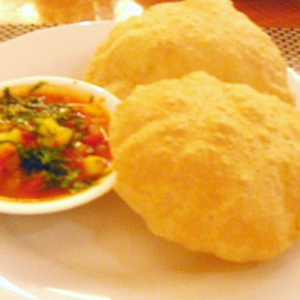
(171, 40)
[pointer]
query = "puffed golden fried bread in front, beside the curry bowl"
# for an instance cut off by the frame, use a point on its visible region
(210, 165)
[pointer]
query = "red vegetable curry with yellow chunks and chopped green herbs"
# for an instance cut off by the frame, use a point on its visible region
(53, 142)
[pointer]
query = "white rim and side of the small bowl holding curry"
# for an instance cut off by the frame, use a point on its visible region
(103, 186)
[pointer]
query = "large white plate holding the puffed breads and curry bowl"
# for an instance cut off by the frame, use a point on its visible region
(103, 251)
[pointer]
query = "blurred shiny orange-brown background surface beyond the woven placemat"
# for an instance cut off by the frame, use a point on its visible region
(266, 13)
